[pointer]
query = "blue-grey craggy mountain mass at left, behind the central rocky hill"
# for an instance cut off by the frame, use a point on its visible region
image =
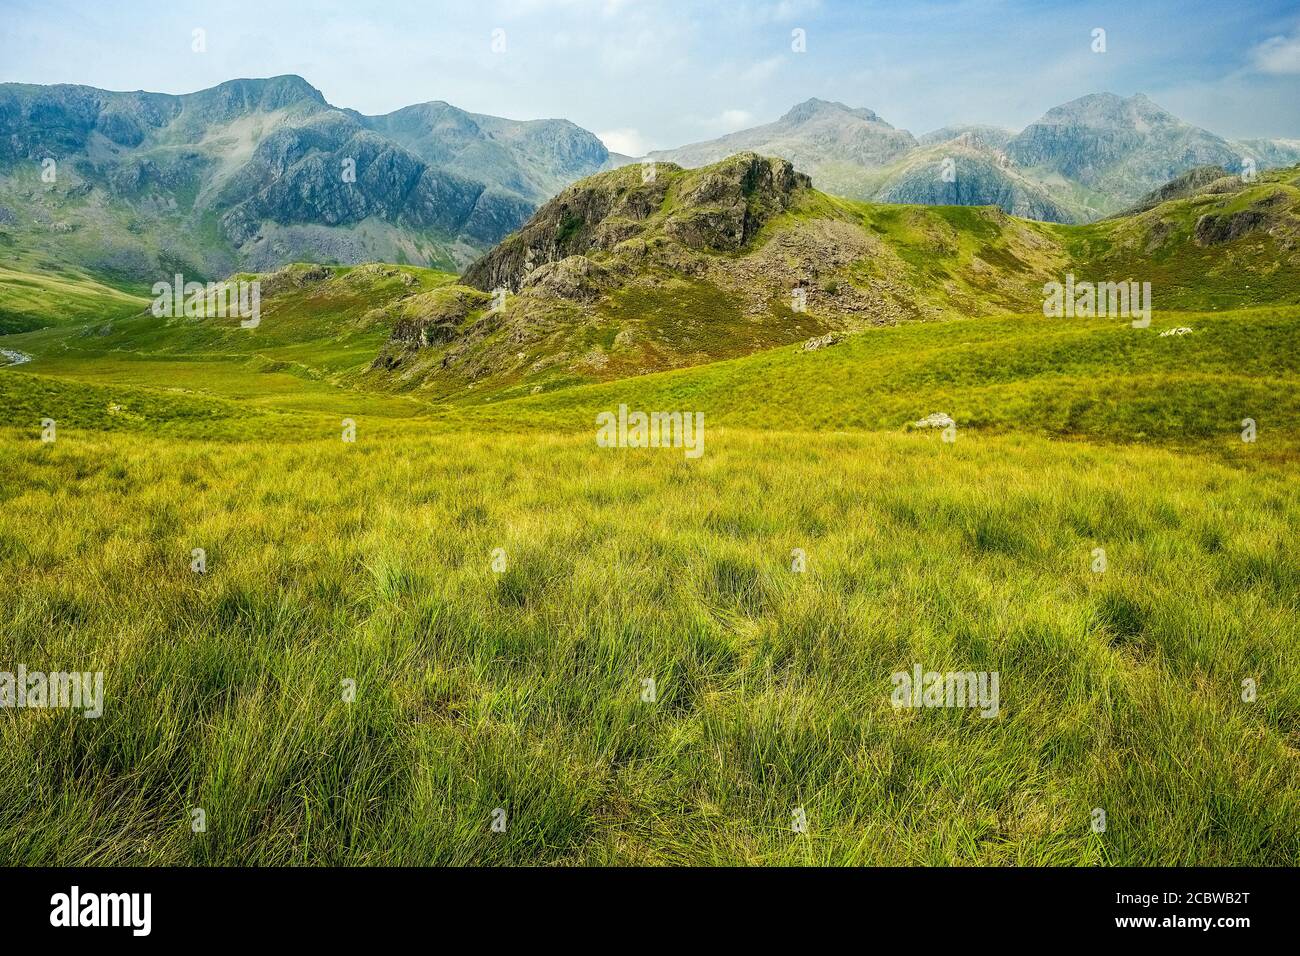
(254, 174)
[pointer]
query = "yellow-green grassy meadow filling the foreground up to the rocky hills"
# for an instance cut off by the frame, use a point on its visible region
(456, 618)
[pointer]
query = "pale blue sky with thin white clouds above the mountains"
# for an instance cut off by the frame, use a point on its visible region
(649, 75)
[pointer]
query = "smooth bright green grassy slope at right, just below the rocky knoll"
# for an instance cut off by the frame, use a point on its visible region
(1072, 380)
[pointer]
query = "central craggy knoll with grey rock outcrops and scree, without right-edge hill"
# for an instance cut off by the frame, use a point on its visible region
(623, 276)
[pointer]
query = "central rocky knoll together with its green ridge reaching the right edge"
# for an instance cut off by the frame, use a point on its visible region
(621, 278)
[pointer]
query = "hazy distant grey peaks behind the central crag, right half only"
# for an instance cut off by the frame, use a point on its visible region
(1081, 162)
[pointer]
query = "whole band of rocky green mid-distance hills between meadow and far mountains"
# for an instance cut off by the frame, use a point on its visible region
(625, 275)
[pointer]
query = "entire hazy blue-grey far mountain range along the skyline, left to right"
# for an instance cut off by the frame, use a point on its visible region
(257, 174)
